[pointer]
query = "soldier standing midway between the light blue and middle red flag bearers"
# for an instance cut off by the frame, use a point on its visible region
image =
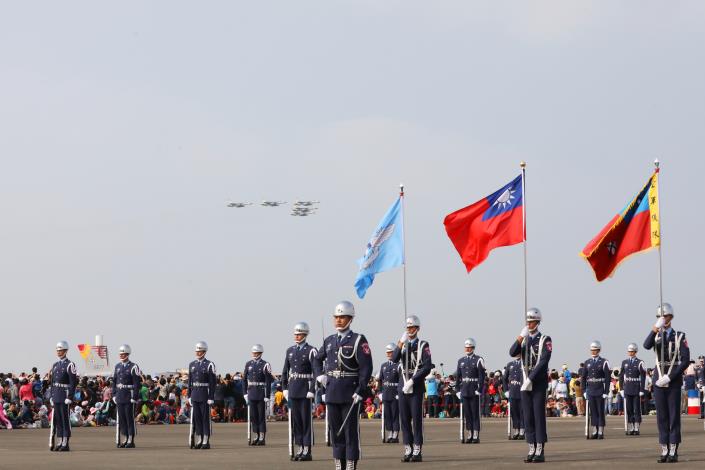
(470, 375)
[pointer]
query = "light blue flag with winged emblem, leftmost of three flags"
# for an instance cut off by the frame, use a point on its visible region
(385, 250)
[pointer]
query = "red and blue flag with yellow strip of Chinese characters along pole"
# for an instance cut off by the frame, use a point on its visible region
(636, 228)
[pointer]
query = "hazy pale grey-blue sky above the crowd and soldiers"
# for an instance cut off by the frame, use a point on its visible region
(127, 125)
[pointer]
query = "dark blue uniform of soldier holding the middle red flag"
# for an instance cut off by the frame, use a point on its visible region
(535, 352)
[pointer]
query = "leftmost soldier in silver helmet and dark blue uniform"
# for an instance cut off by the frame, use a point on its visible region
(63, 381)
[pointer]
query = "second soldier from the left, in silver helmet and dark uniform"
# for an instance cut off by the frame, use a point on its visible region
(127, 381)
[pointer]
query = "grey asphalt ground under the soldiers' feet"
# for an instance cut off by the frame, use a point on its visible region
(165, 447)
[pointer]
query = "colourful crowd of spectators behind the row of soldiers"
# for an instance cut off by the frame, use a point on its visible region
(24, 399)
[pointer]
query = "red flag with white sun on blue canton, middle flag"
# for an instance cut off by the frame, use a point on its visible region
(494, 221)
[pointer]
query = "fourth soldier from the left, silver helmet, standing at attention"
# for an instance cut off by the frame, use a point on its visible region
(258, 383)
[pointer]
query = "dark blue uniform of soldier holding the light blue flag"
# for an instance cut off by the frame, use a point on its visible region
(414, 359)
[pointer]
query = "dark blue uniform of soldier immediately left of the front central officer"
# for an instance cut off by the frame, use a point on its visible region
(299, 378)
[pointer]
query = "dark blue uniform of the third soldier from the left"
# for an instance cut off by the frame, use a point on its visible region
(201, 388)
